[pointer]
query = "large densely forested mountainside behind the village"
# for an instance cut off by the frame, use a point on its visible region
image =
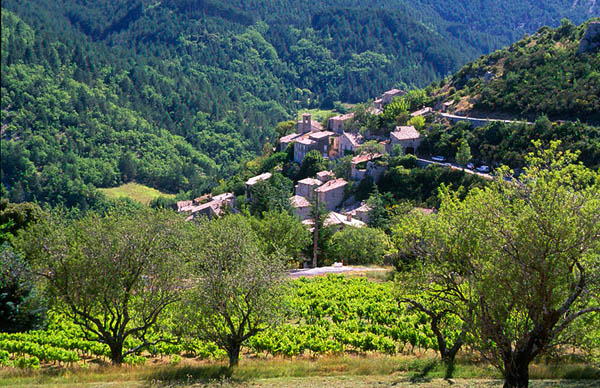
(177, 94)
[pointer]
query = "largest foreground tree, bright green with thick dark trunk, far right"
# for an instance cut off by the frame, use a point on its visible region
(519, 259)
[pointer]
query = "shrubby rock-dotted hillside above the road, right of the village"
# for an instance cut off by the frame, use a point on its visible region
(545, 73)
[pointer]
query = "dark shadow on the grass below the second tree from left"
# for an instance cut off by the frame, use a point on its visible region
(191, 374)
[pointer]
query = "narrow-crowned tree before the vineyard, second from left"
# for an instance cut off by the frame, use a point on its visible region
(236, 287)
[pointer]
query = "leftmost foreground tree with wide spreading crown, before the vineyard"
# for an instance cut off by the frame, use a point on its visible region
(113, 275)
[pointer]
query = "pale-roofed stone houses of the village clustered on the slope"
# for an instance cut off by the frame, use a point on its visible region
(333, 142)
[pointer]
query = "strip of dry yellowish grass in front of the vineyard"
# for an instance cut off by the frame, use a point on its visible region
(332, 371)
